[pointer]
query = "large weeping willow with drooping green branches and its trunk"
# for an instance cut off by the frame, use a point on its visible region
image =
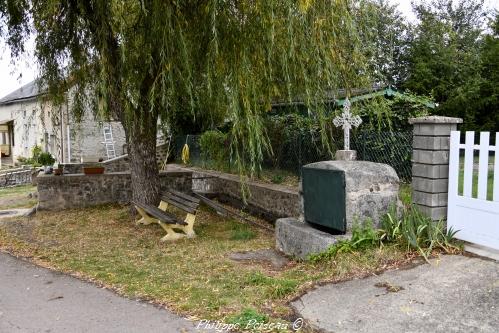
(146, 62)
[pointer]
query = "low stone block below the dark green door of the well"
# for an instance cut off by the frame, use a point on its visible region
(300, 239)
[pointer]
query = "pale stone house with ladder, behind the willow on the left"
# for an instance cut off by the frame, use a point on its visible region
(26, 121)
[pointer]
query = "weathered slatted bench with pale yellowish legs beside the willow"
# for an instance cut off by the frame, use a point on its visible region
(168, 221)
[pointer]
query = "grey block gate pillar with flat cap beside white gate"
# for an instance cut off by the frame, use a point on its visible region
(430, 163)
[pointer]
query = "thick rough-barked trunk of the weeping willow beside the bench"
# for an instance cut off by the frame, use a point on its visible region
(143, 165)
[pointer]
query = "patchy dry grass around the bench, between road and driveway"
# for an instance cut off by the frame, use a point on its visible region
(193, 277)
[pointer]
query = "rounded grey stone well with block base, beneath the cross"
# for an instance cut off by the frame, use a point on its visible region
(369, 190)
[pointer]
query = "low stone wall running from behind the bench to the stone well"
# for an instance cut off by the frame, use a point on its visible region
(270, 201)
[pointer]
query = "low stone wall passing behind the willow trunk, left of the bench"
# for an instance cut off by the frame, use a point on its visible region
(78, 190)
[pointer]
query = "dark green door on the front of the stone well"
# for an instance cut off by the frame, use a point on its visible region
(324, 197)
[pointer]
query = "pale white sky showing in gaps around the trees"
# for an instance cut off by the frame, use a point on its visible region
(13, 76)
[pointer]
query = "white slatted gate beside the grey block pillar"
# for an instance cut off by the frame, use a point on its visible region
(473, 203)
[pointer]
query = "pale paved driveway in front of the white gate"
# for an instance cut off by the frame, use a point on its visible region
(454, 294)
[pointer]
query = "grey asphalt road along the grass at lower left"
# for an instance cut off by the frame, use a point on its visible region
(34, 299)
